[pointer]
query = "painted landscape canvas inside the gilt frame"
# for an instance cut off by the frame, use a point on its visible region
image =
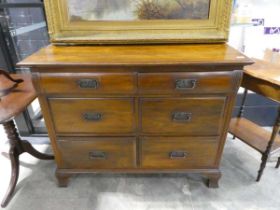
(128, 10)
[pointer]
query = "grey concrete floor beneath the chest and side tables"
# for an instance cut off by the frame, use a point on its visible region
(238, 190)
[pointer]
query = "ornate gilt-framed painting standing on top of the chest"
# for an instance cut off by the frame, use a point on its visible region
(138, 21)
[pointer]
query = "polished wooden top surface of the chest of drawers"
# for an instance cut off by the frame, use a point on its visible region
(133, 55)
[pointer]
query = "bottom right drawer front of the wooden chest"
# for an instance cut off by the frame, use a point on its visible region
(178, 152)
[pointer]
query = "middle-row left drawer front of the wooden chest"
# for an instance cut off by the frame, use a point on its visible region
(93, 116)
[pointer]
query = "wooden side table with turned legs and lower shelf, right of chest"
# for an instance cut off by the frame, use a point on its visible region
(263, 78)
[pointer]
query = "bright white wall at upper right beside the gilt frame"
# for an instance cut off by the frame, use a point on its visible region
(253, 37)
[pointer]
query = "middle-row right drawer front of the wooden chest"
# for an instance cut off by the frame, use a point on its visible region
(182, 116)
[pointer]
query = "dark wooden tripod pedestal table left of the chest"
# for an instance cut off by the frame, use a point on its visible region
(16, 93)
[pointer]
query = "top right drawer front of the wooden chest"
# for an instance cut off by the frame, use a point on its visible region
(177, 83)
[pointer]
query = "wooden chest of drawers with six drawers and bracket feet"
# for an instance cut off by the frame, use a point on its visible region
(137, 109)
